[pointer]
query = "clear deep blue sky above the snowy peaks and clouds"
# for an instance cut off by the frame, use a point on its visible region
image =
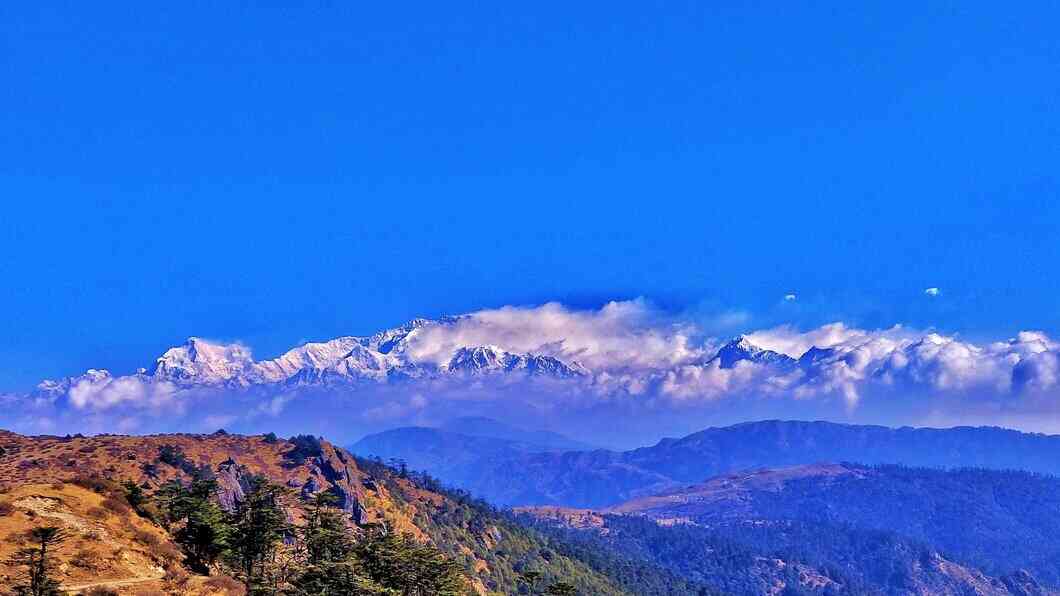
(276, 174)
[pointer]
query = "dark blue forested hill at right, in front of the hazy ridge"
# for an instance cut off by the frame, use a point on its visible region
(839, 529)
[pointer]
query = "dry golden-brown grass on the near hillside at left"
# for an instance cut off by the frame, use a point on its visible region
(74, 483)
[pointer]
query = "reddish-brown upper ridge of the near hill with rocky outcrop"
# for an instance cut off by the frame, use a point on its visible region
(306, 465)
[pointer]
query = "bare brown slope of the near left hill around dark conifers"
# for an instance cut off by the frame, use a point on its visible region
(37, 477)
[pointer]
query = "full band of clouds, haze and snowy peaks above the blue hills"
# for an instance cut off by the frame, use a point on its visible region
(626, 362)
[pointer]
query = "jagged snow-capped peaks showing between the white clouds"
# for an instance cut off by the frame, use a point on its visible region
(385, 357)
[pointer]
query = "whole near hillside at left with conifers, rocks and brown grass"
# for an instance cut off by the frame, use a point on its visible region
(278, 516)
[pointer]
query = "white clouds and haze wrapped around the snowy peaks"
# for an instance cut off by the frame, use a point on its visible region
(638, 357)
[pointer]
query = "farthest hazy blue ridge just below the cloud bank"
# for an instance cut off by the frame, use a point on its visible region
(510, 476)
